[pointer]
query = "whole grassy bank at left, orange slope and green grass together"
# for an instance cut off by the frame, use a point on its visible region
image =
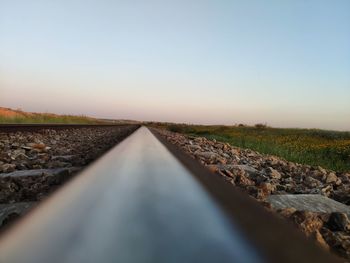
(17, 116)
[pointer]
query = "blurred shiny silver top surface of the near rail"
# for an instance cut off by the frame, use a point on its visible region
(136, 204)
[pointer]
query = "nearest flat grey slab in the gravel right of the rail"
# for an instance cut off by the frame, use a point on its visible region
(305, 202)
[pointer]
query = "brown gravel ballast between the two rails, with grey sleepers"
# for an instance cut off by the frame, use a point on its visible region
(34, 164)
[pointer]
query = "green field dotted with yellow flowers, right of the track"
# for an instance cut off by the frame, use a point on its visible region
(329, 149)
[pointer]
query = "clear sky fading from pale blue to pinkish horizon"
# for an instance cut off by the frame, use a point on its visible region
(286, 63)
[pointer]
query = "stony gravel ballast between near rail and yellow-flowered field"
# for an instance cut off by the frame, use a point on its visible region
(266, 177)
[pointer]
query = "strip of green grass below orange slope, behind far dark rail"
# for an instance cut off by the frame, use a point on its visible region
(49, 118)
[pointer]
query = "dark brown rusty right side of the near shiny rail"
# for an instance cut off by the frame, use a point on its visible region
(274, 238)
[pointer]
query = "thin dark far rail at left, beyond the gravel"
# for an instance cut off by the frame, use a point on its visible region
(38, 127)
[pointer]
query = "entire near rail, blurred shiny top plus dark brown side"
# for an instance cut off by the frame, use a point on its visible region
(147, 201)
